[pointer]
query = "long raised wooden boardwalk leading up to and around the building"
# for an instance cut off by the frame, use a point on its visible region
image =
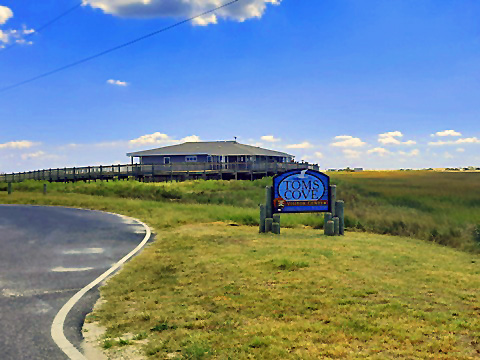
(157, 173)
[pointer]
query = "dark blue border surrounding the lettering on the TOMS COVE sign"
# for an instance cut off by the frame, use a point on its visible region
(325, 180)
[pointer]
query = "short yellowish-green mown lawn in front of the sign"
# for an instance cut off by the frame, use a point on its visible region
(213, 291)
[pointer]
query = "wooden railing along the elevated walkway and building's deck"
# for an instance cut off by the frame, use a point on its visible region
(139, 171)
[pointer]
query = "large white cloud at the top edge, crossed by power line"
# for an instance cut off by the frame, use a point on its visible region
(239, 11)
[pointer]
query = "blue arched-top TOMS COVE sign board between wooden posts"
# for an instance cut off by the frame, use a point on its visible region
(301, 191)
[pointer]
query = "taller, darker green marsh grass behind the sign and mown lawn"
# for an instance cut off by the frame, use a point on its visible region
(439, 207)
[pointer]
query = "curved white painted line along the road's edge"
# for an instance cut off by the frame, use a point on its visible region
(57, 326)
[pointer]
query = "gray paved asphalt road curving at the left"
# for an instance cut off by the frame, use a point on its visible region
(47, 254)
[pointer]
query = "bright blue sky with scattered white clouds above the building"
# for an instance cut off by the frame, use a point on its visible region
(340, 83)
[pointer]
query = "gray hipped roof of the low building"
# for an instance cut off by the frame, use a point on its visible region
(210, 148)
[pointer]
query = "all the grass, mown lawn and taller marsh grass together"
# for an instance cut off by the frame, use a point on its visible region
(208, 290)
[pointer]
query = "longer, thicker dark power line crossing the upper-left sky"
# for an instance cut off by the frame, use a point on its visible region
(84, 60)
